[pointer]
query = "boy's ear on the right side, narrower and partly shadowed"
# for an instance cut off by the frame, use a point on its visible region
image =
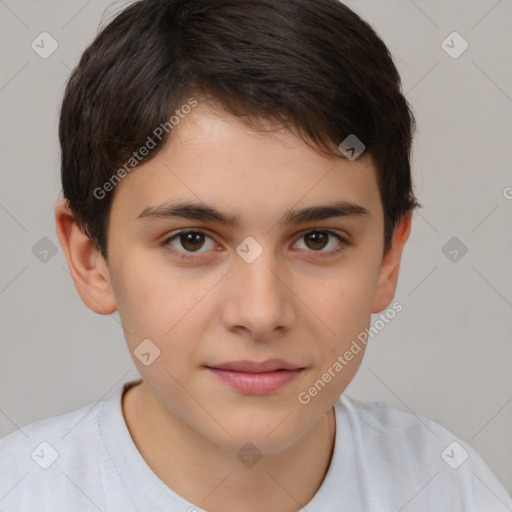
(388, 275)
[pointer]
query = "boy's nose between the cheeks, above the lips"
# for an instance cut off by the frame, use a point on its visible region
(259, 299)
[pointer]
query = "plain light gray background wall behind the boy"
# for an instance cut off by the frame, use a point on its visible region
(447, 355)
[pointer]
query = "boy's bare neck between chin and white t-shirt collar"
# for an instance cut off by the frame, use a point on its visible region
(283, 482)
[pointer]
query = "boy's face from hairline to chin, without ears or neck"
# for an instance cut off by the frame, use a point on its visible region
(271, 284)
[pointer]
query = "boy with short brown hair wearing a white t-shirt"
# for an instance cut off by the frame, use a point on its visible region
(237, 185)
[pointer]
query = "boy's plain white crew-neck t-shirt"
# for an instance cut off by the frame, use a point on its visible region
(383, 460)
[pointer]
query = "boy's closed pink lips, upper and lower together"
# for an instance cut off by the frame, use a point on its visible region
(256, 378)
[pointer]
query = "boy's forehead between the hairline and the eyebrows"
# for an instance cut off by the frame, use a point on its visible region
(211, 157)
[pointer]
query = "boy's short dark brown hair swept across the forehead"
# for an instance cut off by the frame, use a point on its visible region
(313, 66)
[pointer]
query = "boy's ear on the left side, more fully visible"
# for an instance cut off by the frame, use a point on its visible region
(86, 265)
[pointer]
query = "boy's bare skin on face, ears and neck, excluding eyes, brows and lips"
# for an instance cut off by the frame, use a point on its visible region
(290, 303)
